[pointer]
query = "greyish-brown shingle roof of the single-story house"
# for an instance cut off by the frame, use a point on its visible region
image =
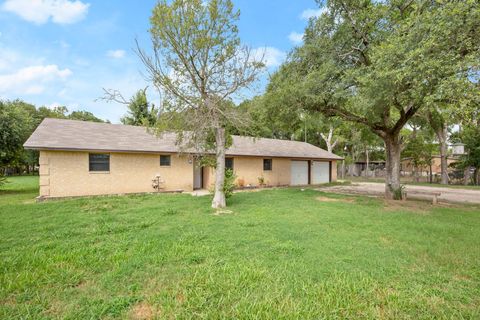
(60, 134)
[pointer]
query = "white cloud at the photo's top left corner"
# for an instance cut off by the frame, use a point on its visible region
(40, 11)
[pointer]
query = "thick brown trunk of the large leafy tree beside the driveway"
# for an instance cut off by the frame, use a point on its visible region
(392, 170)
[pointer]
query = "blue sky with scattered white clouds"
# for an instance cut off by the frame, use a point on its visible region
(63, 52)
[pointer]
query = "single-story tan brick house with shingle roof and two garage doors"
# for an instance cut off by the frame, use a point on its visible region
(79, 158)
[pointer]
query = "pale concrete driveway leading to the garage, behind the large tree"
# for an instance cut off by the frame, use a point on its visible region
(378, 189)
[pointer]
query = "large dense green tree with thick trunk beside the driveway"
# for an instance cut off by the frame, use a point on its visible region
(377, 63)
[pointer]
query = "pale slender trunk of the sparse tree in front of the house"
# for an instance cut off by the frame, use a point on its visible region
(219, 197)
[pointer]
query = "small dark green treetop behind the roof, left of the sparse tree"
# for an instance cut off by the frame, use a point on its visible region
(140, 111)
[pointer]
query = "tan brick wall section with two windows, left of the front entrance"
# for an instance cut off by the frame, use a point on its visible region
(64, 174)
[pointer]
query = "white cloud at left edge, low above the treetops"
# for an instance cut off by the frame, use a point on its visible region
(32, 80)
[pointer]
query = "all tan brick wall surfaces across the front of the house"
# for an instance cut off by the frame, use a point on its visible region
(64, 174)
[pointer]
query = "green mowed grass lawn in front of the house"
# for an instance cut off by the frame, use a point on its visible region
(280, 254)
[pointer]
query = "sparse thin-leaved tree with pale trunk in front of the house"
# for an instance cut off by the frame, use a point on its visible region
(199, 64)
